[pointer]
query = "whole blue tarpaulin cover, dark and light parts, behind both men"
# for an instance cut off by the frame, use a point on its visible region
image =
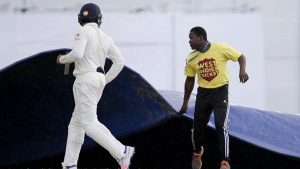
(36, 103)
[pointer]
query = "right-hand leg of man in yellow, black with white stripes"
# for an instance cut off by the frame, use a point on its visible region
(221, 113)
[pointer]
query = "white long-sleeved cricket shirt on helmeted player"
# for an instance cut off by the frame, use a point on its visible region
(91, 47)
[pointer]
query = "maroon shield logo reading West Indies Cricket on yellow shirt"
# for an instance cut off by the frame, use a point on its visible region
(208, 69)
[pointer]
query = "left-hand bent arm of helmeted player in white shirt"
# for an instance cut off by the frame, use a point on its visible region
(77, 51)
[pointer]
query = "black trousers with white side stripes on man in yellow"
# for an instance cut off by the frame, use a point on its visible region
(208, 101)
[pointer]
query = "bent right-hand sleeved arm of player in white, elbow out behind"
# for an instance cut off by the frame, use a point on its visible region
(118, 63)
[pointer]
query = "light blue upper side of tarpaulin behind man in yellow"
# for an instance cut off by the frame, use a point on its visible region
(278, 132)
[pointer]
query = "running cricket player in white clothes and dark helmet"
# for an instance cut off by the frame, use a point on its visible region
(90, 49)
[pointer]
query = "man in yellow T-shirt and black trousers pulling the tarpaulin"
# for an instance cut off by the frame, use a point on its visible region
(209, 62)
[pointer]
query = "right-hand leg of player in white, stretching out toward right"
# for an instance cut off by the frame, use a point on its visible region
(90, 94)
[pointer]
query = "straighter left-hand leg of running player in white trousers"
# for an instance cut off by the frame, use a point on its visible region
(75, 138)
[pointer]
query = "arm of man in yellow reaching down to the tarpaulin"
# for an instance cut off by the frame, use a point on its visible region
(188, 88)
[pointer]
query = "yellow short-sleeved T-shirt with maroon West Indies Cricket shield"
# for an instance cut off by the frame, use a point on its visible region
(211, 66)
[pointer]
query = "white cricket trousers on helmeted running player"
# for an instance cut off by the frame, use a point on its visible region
(87, 90)
